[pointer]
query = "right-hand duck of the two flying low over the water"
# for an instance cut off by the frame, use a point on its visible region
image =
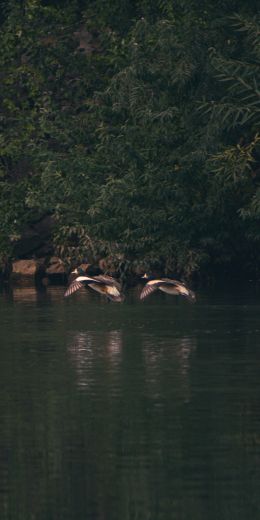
(166, 285)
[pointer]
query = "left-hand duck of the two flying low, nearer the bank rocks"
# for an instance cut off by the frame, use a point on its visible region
(103, 284)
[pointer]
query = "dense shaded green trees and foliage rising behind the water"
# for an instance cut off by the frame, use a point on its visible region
(133, 126)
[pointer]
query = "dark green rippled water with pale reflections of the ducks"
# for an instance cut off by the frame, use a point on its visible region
(134, 411)
